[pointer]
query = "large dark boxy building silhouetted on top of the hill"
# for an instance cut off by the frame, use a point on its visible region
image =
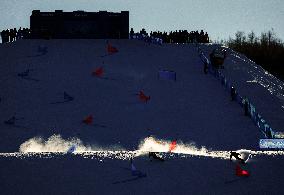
(79, 25)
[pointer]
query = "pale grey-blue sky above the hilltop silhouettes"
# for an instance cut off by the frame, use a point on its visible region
(221, 18)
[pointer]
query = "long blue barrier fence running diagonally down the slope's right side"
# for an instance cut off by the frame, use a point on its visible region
(258, 120)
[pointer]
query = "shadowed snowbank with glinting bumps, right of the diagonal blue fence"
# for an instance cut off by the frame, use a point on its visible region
(254, 82)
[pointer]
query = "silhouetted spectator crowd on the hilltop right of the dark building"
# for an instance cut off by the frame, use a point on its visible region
(181, 36)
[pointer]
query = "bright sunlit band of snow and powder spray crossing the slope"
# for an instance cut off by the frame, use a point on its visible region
(56, 145)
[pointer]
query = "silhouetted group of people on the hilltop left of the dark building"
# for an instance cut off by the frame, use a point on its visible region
(14, 34)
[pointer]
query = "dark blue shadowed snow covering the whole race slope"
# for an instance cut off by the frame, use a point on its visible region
(194, 109)
